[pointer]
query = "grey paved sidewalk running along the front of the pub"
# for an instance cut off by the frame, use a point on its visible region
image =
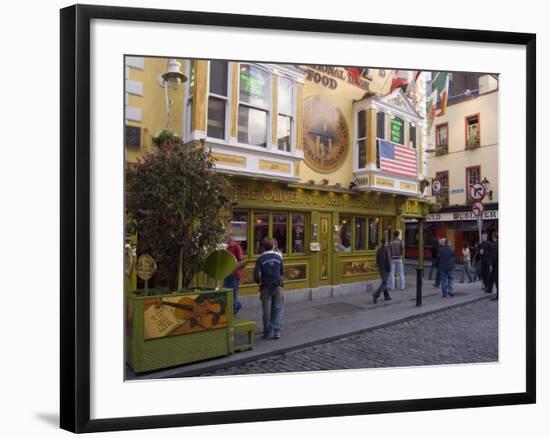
(312, 322)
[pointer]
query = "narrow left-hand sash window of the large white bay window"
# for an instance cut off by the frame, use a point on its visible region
(217, 99)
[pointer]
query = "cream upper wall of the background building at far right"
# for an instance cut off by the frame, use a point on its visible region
(459, 159)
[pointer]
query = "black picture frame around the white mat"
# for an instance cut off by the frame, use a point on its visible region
(75, 217)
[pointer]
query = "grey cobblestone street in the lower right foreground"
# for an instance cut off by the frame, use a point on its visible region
(465, 334)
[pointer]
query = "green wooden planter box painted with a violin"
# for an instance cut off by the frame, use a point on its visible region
(179, 328)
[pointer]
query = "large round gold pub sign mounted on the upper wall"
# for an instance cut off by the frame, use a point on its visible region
(325, 134)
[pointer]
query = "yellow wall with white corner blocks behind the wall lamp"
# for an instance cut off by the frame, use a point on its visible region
(152, 103)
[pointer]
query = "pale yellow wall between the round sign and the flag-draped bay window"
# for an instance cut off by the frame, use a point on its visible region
(343, 97)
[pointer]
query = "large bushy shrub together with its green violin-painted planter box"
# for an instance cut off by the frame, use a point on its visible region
(178, 203)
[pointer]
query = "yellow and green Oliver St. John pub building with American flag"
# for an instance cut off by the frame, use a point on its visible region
(310, 153)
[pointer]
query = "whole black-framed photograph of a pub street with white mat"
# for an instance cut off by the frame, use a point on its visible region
(269, 218)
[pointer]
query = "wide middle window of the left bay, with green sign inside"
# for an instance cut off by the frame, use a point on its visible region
(254, 105)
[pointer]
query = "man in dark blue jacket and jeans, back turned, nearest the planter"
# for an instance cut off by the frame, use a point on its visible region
(268, 273)
